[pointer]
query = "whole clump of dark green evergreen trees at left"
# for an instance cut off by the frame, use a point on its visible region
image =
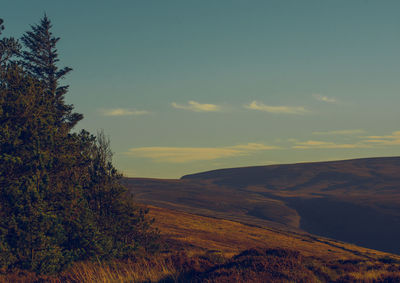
(60, 197)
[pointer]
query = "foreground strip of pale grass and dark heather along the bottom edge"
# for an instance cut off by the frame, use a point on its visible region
(253, 265)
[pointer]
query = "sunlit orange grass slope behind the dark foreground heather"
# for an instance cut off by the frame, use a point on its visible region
(205, 233)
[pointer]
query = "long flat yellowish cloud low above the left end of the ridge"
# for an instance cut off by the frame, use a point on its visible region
(190, 154)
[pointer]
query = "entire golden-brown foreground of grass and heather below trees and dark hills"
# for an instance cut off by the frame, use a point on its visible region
(203, 249)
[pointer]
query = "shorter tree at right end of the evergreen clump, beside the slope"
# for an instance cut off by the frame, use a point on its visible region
(122, 223)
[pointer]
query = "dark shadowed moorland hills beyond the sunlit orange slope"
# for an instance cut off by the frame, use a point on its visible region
(355, 201)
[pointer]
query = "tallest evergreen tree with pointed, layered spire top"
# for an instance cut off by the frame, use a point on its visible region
(40, 59)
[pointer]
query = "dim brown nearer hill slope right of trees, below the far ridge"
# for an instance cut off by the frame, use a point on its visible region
(205, 198)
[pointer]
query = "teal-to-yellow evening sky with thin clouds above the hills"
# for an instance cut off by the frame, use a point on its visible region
(187, 86)
